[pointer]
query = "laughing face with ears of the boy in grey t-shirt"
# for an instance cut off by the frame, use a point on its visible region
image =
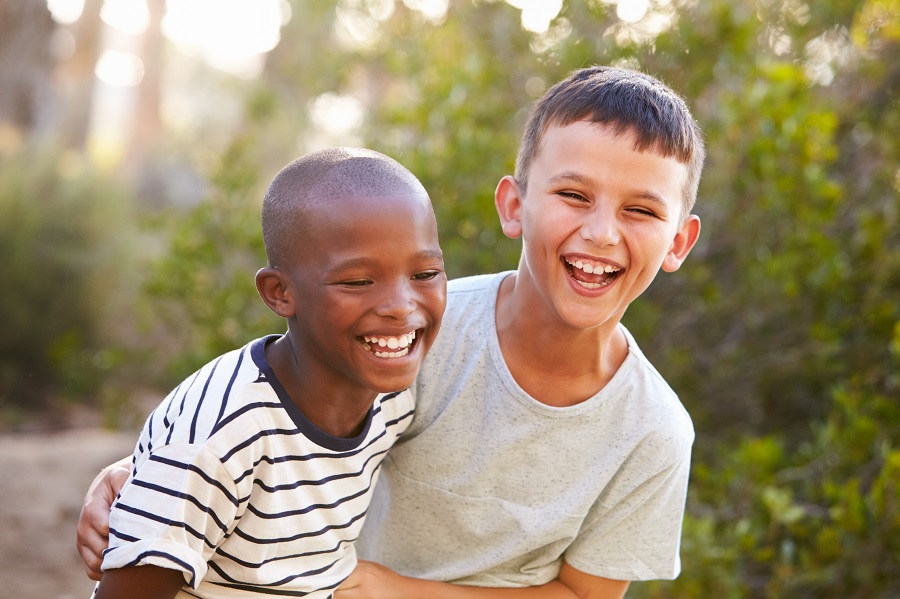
(598, 220)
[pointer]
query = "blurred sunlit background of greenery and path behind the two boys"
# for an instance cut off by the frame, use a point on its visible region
(137, 137)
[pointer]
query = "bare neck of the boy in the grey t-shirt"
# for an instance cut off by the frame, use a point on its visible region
(555, 364)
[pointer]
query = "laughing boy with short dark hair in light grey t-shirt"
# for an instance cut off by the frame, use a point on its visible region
(547, 454)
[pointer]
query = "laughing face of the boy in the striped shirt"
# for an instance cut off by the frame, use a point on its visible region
(367, 291)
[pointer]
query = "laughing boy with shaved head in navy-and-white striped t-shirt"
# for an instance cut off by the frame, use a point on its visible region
(253, 477)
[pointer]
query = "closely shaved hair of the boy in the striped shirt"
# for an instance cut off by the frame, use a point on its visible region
(321, 177)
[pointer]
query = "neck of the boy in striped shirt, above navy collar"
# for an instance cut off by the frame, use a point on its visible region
(340, 412)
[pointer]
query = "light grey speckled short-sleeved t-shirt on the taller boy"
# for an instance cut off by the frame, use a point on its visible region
(489, 487)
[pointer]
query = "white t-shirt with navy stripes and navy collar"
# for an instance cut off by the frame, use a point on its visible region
(235, 487)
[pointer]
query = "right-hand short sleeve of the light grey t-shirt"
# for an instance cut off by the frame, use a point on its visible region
(636, 536)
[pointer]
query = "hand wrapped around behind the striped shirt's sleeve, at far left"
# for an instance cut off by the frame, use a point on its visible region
(93, 523)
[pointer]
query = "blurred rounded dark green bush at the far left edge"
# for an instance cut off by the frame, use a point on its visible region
(64, 267)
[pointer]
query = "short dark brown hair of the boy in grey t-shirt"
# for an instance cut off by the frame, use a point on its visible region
(624, 100)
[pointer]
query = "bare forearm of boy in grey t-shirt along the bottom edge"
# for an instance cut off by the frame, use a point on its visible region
(374, 581)
